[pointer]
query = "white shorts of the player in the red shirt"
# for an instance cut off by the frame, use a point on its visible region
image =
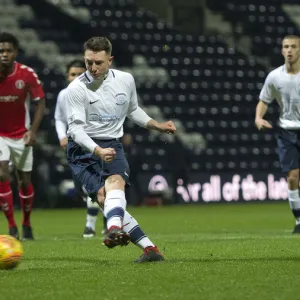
(15, 150)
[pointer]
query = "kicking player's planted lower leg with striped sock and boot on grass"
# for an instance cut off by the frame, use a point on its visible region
(139, 238)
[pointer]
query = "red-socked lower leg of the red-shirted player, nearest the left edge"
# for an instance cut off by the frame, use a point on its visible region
(7, 206)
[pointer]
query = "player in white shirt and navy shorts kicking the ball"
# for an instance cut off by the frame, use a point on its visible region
(98, 103)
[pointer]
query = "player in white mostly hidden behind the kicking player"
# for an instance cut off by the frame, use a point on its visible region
(74, 69)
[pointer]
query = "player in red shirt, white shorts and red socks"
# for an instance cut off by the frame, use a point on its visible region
(18, 85)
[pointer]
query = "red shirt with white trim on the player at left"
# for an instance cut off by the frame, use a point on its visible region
(15, 93)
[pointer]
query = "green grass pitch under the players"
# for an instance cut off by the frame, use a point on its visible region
(223, 251)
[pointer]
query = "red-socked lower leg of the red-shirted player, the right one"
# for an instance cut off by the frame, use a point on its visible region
(26, 197)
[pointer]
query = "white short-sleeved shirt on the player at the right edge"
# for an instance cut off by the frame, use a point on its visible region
(285, 88)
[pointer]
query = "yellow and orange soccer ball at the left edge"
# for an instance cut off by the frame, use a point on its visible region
(11, 252)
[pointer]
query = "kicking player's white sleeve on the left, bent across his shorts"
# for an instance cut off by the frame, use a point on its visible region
(76, 118)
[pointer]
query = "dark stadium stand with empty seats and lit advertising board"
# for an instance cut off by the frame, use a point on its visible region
(200, 63)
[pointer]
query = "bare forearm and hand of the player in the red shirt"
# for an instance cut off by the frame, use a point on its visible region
(30, 135)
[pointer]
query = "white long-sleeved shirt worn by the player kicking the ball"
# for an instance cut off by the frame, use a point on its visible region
(97, 109)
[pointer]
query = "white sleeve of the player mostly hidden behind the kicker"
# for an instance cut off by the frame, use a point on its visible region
(61, 124)
